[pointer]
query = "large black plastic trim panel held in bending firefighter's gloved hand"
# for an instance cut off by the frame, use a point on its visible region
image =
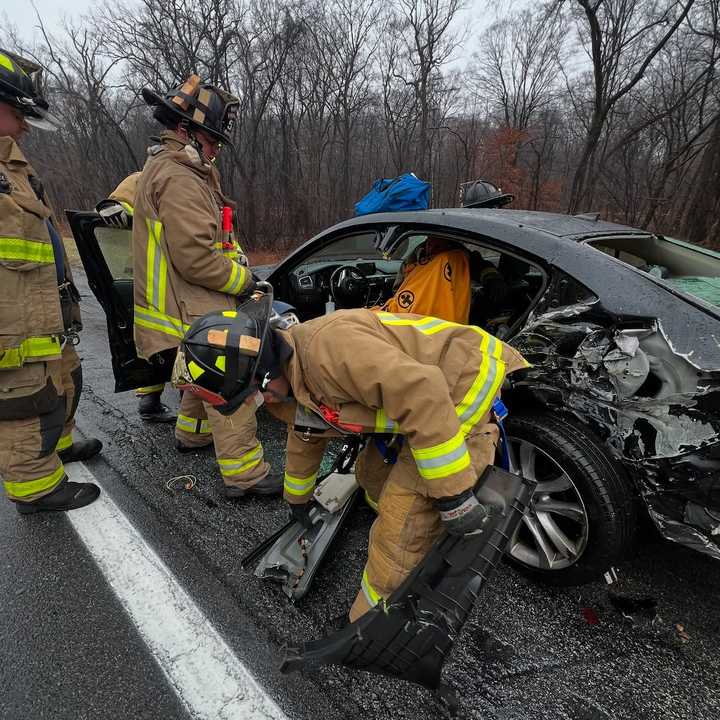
(411, 635)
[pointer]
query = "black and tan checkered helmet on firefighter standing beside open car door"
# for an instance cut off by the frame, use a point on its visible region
(198, 104)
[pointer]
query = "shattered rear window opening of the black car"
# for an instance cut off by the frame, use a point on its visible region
(689, 268)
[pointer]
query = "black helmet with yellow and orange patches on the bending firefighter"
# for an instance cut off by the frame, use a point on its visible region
(219, 356)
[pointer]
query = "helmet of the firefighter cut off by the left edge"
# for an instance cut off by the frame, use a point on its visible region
(20, 87)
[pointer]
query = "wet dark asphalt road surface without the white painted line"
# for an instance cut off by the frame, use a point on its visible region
(528, 651)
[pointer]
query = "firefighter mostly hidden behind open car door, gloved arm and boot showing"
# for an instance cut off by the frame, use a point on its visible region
(117, 211)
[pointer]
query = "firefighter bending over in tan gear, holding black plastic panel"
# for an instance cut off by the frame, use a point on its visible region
(431, 381)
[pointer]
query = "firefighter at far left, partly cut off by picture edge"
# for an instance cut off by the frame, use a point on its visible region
(40, 373)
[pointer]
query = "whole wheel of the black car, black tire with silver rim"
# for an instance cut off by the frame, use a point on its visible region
(582, 515)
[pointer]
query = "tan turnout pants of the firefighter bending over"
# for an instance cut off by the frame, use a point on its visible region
(407, 524)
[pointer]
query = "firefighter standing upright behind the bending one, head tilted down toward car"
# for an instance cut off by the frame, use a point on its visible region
(186, 263)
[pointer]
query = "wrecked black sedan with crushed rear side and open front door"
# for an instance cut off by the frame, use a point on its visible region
(620, 412)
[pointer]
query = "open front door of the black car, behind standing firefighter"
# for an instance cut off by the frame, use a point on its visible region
(106, 255)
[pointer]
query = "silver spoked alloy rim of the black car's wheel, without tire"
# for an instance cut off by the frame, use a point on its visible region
(553, 533)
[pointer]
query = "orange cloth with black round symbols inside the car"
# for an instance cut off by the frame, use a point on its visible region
(438, 287)
